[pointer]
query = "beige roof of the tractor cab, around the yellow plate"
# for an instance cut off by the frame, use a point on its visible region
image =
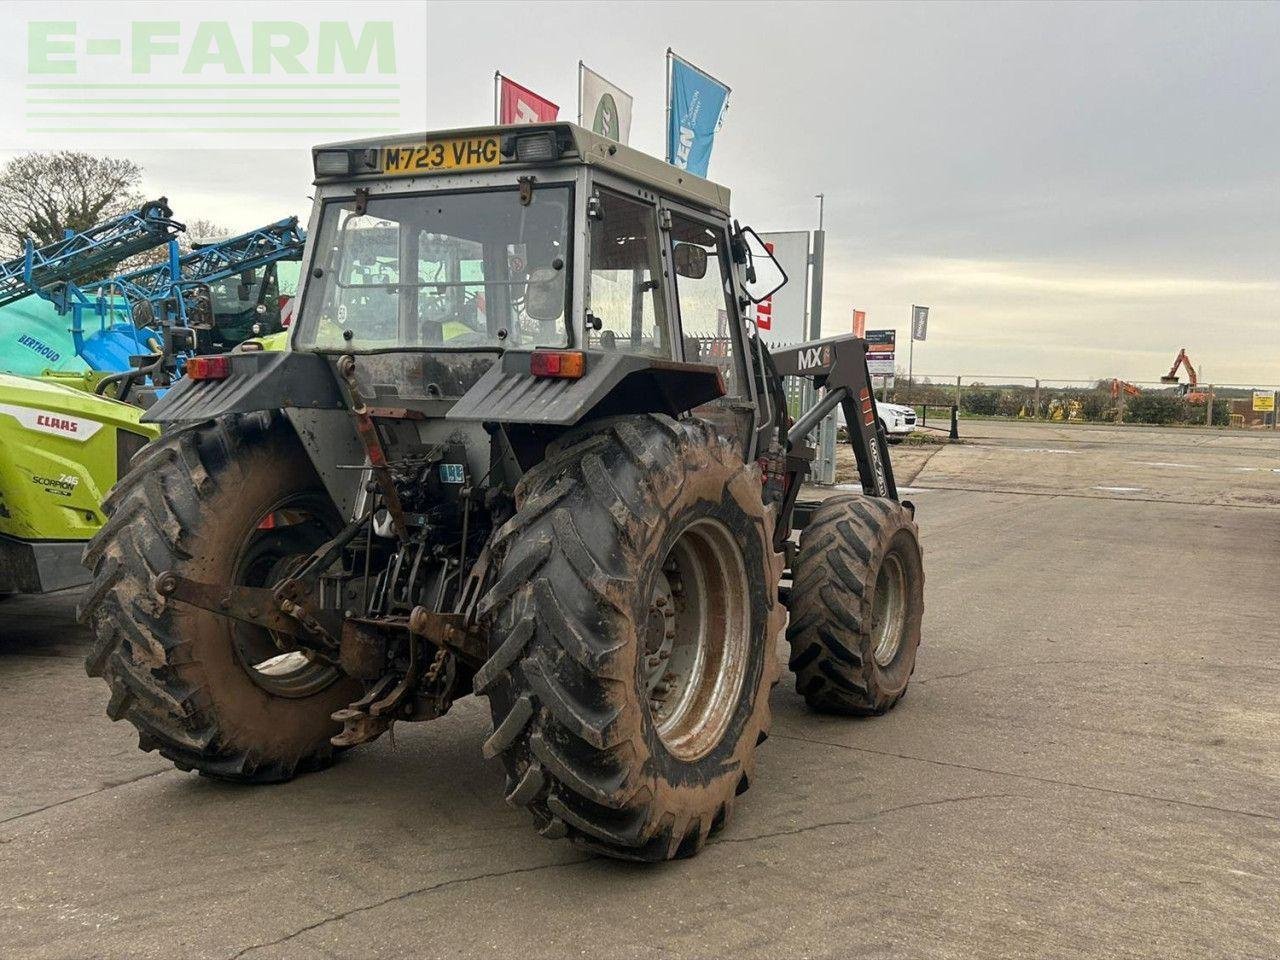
(580, 147)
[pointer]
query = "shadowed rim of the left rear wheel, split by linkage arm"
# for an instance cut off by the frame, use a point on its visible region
(280, 543)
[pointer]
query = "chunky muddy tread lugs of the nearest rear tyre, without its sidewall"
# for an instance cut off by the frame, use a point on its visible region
(568, 757)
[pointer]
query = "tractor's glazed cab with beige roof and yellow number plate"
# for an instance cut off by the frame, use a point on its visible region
(547, 245)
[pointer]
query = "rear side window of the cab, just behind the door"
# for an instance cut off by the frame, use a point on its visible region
(627, 305)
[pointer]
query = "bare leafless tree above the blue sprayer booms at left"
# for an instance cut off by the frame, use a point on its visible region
(44, 195)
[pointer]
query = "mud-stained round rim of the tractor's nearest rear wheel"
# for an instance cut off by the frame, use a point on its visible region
(698, 641)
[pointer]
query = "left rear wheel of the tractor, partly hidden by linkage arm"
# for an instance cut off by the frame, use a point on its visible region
(227, 501)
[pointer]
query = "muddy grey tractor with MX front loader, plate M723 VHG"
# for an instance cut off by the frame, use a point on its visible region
(525, 445)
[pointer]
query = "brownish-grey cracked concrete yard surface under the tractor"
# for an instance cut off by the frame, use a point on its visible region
(1087, 765)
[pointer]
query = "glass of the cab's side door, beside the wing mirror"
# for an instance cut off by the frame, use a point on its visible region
(705, 296)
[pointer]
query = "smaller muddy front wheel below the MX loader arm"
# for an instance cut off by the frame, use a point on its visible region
(857, 604)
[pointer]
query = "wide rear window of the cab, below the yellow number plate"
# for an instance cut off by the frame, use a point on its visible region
(452, 271)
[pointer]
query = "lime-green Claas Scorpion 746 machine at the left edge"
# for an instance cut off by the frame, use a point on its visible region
(61, 451)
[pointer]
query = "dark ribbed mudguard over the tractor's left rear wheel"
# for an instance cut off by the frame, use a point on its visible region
(258, 381)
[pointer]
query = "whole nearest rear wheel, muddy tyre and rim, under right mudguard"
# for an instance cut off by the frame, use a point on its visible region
(633, 627)
